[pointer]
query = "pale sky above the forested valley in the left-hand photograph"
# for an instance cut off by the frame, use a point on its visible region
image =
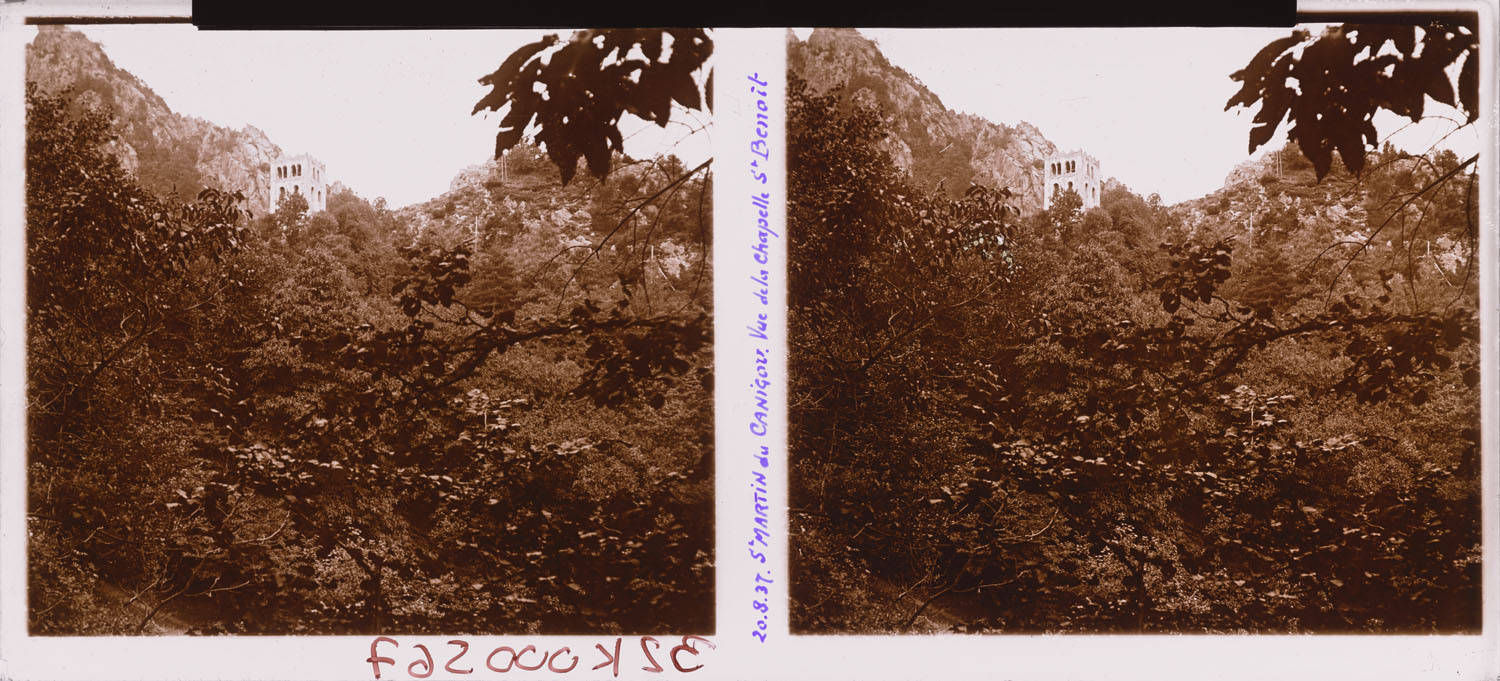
(386, 112)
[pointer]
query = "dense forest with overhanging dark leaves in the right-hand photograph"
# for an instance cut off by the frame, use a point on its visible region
(1256, 412)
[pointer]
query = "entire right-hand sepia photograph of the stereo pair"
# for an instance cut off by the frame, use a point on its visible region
(1136, 331)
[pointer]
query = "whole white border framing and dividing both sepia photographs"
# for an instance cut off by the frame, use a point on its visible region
(739, 656)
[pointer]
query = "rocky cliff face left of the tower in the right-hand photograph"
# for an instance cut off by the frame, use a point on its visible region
(926, 139)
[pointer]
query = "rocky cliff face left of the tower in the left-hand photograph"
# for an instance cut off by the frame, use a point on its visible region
(164, 149)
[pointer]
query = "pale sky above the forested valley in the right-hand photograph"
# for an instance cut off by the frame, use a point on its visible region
(1147, 103)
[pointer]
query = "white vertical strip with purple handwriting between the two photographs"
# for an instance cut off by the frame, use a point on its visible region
(739, 56)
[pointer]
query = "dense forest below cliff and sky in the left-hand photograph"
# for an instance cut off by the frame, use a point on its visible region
(476, 419)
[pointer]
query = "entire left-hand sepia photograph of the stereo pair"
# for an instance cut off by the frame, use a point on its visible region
(353, 334)
